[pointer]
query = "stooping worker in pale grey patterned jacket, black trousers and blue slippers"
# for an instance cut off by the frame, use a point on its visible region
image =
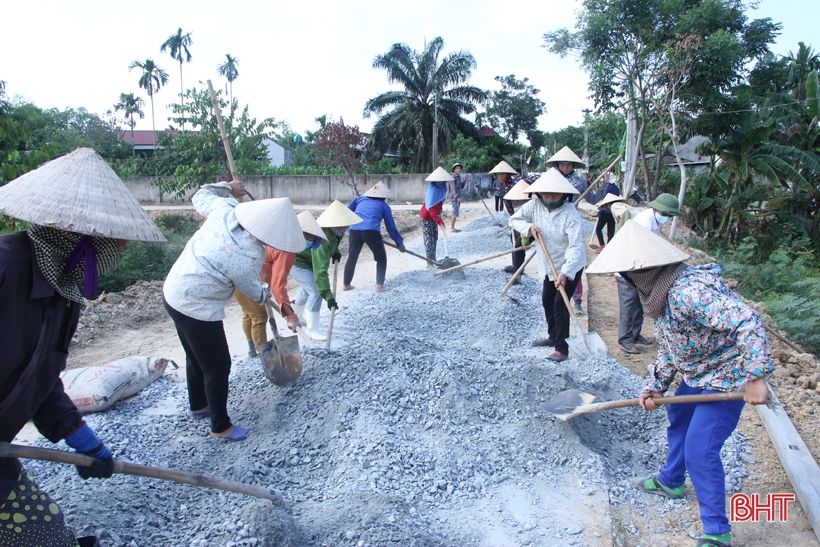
(226, 254)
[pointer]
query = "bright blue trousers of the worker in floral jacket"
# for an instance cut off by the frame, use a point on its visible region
(696, 434)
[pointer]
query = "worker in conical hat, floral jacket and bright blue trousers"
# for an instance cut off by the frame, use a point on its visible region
(715, 341)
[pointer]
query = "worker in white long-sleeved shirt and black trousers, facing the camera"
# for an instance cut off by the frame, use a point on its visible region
(550, 215)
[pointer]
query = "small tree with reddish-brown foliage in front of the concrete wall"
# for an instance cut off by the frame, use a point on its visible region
(340, 145)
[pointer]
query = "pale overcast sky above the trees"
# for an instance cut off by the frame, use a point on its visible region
(299, 59)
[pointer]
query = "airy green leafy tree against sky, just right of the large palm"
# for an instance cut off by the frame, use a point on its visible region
(515, 108)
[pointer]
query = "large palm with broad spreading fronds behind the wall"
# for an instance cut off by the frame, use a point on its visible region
(432, 90)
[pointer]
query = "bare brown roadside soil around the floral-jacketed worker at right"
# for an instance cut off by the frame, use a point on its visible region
(794, 381)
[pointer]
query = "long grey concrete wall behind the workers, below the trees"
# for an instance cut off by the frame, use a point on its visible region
(306, 189)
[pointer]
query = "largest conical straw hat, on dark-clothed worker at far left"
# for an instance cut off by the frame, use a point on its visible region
(79, 193)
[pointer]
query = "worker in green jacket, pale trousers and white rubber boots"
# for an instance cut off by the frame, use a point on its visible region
(310, 267)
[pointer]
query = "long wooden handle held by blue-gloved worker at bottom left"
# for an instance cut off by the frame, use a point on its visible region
(8, 450)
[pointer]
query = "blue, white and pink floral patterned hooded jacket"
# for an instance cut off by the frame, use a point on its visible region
(709, 335)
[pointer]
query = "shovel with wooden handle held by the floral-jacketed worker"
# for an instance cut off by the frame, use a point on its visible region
(569, 404)
